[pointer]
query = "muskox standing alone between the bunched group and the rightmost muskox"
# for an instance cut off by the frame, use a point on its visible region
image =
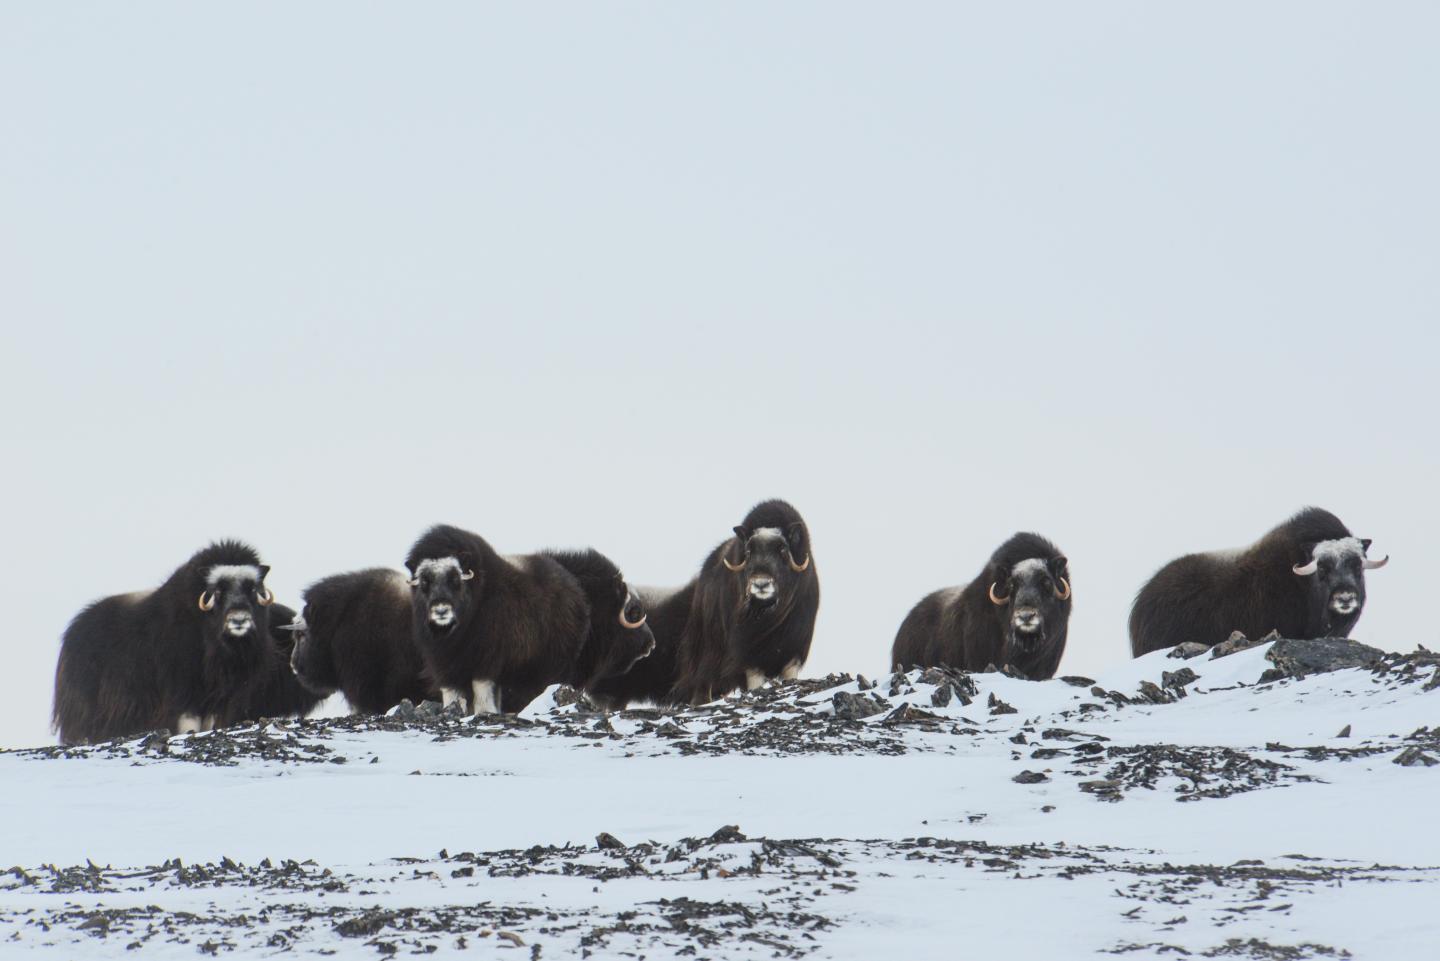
(1013, 616)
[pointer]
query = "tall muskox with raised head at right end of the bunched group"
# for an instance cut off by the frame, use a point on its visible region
(754, 623)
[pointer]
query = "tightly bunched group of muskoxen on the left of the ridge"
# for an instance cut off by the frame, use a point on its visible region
(462, 625)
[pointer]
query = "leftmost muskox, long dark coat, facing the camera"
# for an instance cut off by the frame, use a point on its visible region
(186, 656)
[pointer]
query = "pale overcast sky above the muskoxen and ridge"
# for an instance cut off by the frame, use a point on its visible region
(1141, 277)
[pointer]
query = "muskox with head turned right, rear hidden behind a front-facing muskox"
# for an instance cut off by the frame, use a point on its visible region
(611, 649)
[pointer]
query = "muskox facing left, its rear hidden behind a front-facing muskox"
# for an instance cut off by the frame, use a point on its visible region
(356, 636)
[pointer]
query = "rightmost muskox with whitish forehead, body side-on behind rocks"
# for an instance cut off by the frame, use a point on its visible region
(1304, 580)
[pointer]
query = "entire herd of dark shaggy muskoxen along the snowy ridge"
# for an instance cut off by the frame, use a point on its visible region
(464, 625)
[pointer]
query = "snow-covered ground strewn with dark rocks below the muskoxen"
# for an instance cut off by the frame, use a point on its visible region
(1171, 809)
